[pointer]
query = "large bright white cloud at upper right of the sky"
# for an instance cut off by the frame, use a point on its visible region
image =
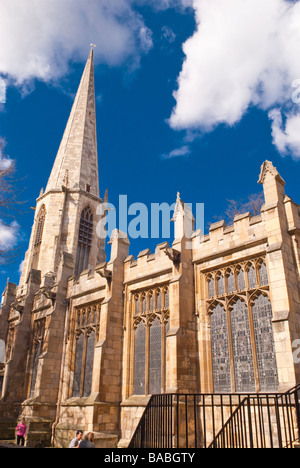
(243, 54)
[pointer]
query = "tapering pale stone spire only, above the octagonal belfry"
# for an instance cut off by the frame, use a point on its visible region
(76, 164)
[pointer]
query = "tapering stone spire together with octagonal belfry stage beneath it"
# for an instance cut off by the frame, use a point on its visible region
(66, 213)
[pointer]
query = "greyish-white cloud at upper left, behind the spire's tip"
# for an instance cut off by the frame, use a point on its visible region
(40, 37)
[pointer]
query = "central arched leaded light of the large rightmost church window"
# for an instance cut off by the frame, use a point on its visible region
(242, 350)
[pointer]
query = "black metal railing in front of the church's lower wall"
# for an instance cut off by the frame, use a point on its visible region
(220, 421)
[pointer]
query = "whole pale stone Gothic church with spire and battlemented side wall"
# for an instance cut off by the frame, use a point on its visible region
(89, 339)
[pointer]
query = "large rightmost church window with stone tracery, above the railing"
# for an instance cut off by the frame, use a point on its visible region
(242, 337)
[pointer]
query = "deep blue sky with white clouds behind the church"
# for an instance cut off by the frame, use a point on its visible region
(229, 94)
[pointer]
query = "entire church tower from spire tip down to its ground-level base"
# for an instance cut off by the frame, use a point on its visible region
(63, 244)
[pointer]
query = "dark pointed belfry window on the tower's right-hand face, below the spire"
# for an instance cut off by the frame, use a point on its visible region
(84, 240)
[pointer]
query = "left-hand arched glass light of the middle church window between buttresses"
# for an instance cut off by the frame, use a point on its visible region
(140, 359)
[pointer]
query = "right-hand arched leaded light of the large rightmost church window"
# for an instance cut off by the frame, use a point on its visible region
(265, 346)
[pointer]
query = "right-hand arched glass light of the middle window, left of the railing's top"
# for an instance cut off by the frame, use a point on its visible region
(155, 357)
